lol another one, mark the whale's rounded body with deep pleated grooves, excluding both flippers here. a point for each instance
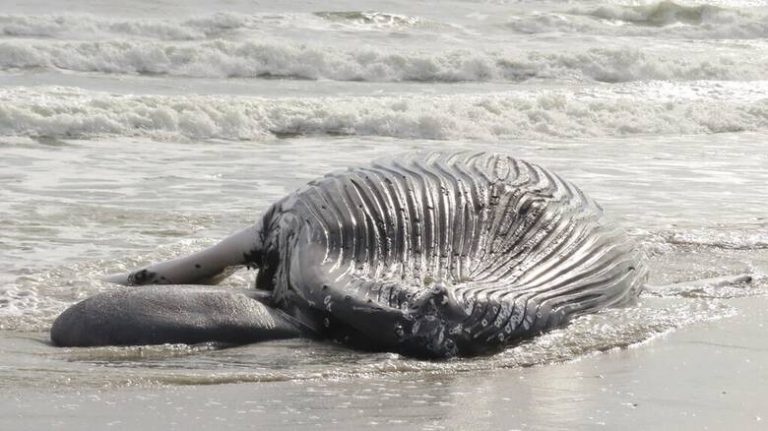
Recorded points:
(444, 254)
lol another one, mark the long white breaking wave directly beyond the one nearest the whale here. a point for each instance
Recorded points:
(228, 59)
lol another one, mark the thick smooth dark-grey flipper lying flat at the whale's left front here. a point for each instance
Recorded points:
(171, 314)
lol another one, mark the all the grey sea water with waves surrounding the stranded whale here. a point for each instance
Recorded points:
(132, 132)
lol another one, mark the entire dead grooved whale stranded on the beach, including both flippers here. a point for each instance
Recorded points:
(429, 256)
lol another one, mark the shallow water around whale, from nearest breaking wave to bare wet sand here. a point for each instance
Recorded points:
(89, 213)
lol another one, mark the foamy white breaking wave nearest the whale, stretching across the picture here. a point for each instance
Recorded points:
(62, 112)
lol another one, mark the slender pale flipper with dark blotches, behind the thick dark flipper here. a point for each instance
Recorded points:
(209, 266)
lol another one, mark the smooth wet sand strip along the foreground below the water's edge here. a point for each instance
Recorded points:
(708, 376)
